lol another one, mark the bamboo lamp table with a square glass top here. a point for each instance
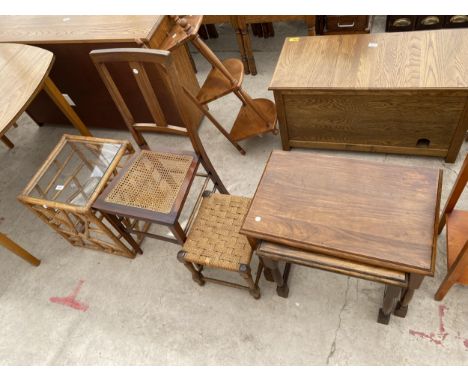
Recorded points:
(65, 187)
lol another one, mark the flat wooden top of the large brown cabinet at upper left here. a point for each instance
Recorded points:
(77, 29)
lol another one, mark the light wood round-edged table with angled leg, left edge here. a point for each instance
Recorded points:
(24, 71)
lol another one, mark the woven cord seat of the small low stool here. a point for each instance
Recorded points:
(214, 239)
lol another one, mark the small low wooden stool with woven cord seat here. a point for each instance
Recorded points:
(214, 241)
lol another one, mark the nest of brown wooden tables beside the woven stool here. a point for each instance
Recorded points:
(363, 219)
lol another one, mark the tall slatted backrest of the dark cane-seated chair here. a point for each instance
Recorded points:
(144, 63)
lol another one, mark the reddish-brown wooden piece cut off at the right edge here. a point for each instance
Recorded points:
(457, 236)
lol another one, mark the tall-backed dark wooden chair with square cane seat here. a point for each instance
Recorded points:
(153, 186)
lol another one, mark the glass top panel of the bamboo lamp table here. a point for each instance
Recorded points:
(75, 172)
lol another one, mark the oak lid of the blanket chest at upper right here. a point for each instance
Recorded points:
(415, 60)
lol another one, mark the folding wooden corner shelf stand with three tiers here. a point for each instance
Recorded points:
(256, 116)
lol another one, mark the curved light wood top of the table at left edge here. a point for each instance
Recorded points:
(23, 70)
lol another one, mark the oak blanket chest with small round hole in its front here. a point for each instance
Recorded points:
(401, 93)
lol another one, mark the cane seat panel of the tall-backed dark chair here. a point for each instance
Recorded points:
(152, 182)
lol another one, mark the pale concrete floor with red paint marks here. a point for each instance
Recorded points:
(147, 311)
